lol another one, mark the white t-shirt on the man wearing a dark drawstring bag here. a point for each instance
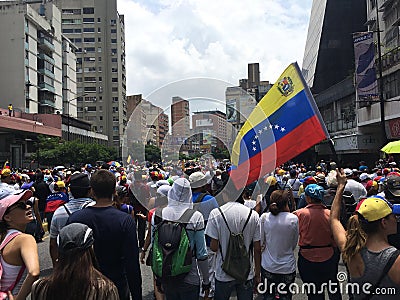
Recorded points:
(236, 215)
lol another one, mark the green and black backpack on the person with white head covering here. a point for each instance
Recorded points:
(172, 254)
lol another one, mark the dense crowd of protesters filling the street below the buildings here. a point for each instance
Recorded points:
(106, 218)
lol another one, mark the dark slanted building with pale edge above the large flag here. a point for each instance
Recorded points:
(329, 55)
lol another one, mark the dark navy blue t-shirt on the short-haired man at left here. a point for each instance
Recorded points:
(115, 245)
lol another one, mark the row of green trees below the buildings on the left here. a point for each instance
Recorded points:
(52, 152)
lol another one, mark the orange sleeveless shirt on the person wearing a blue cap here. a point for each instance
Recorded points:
(315, 230)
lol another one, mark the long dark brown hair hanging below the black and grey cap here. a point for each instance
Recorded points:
(74, 277)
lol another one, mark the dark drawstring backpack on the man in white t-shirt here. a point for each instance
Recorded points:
(237, 257)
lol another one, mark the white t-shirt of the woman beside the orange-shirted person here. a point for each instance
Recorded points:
(279, 235)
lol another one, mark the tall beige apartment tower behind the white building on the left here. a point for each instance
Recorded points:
(98, 31)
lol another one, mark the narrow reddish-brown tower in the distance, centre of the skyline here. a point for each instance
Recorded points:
(180, 119)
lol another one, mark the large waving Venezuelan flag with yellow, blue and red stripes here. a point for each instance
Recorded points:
(285, 123)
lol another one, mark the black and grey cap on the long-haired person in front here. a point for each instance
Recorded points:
(75, 236)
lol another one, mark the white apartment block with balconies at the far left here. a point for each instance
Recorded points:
(32, 74)
